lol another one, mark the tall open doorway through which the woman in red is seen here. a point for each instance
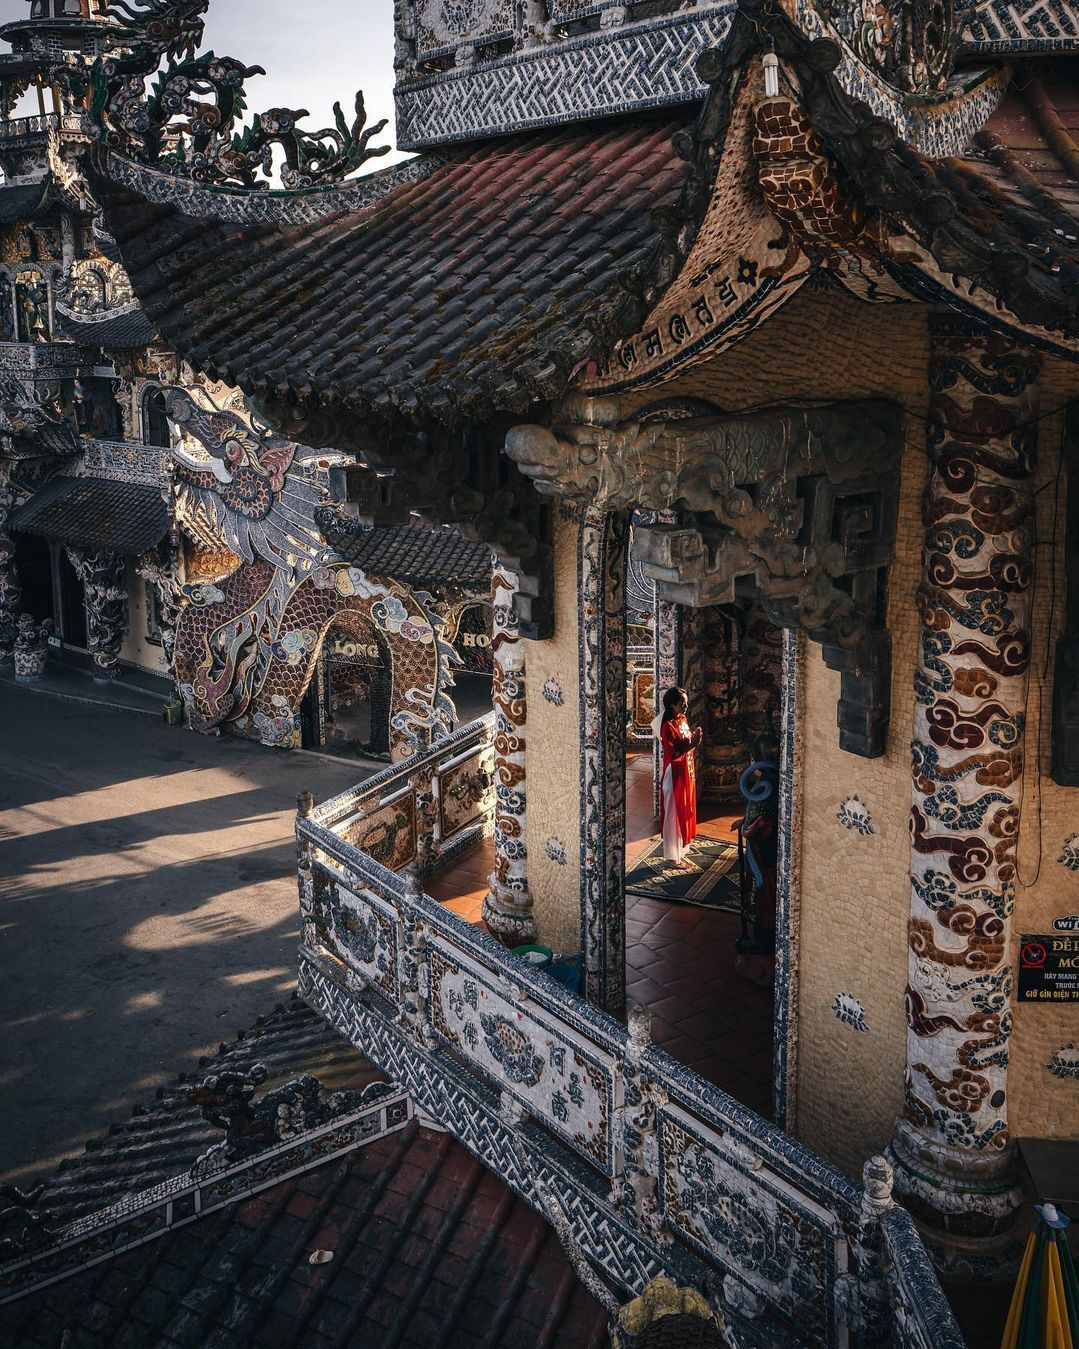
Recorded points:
(701, 944)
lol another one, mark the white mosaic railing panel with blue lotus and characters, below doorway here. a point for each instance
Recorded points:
(564, 1083)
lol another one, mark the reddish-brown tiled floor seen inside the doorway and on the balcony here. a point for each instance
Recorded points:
(680, 961)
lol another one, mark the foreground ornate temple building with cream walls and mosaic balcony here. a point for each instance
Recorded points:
(788, 293)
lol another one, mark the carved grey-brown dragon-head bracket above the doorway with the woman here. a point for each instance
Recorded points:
(791, 507)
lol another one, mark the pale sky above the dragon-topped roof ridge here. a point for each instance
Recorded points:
(314, 53)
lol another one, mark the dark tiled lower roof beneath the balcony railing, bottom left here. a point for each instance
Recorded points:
(428, 1248)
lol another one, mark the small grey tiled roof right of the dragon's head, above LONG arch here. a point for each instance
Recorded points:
(409, 554)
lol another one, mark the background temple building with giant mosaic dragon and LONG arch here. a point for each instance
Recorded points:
(119, 542)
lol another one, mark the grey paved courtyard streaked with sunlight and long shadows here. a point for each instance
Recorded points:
(148, 910)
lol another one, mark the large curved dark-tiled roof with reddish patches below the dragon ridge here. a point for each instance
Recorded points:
(481, 287)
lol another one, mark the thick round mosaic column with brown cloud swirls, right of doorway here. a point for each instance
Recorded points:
(954, 1166)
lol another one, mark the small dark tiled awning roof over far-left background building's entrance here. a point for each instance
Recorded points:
(95, 513)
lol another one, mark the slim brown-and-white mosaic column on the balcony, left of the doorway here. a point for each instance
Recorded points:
(508, 905)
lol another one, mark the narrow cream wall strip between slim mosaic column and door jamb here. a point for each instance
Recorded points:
(552, 757)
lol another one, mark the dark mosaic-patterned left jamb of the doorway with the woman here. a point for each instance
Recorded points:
(602, 546)
